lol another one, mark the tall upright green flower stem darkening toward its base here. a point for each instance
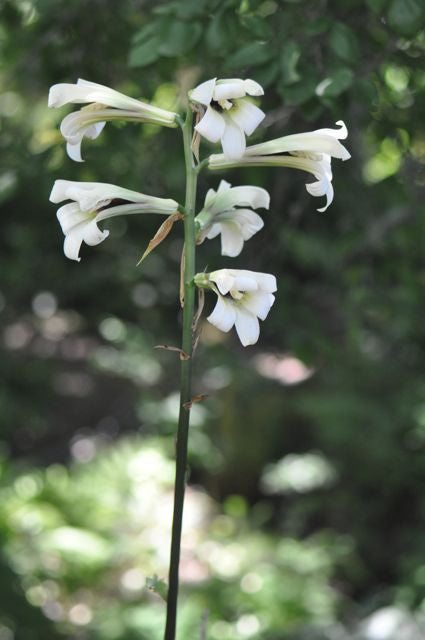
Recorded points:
(186, 378)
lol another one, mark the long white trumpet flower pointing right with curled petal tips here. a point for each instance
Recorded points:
(310, 152)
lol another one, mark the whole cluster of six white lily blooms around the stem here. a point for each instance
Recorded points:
(227, 114)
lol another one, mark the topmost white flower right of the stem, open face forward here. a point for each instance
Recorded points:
(229, 115)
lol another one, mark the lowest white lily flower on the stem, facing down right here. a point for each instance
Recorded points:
(243, 297)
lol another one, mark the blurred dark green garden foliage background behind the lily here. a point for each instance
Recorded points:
(305, 509)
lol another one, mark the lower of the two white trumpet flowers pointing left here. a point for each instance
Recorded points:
(96, 201)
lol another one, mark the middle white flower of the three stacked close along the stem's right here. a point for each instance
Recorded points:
(221, 215)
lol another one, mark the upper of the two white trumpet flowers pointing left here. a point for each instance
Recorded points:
(90, 120)
